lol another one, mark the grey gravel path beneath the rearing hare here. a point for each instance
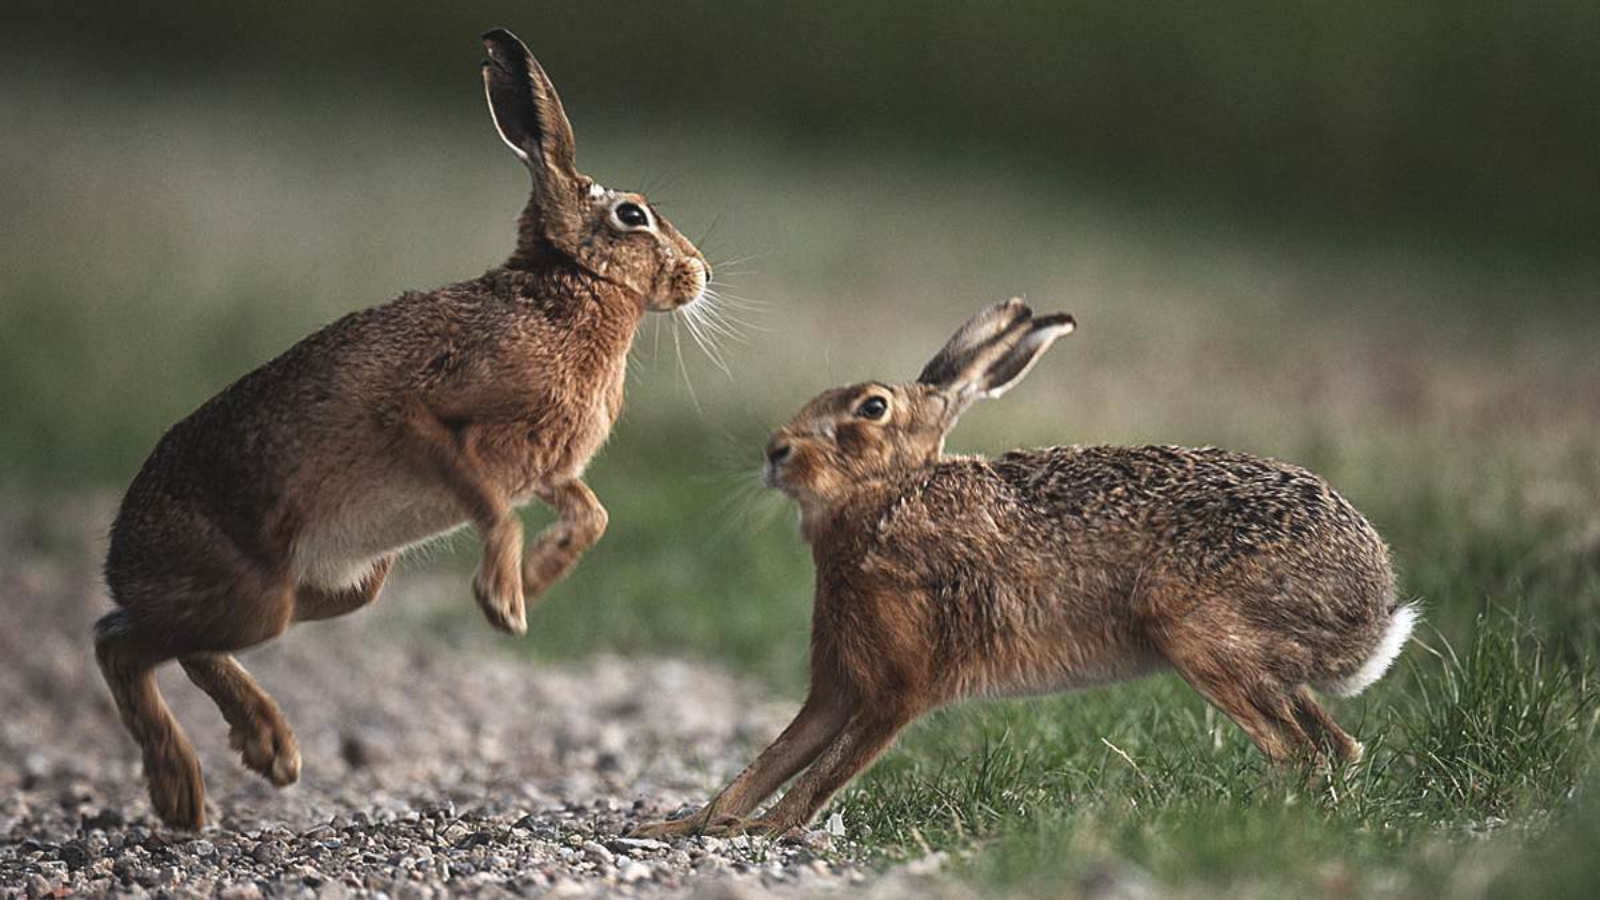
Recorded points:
(433, 765)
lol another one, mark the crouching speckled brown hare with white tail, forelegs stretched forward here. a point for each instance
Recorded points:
(950, 577)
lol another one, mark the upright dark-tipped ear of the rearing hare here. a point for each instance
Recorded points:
(530, 119)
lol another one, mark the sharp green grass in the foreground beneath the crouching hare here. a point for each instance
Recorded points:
(1154, 777)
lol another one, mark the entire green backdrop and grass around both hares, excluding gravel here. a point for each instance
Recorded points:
(1354, 236)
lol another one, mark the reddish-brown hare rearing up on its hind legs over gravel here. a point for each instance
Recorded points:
(289, 496)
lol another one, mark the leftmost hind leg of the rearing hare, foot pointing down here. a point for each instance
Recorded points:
(129, 661)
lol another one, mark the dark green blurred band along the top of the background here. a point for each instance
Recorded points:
(1463, 116)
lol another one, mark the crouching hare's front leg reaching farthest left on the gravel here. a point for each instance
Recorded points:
(818, 725)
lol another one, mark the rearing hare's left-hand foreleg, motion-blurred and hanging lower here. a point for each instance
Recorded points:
(452, 457)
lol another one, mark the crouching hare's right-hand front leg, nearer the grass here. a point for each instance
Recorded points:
(868, 734)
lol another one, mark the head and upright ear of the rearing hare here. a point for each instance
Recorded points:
(614, 235)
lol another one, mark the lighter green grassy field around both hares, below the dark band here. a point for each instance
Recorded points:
(1452, 401)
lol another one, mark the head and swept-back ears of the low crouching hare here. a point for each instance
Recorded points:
(849, 436)
